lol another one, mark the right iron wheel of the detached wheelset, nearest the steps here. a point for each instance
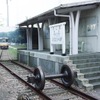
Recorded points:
(69, 78)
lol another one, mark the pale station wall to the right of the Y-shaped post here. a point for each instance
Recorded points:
(89, 30)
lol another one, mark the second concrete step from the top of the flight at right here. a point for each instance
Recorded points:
(86, 60)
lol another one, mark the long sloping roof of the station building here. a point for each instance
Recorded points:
(61, 9)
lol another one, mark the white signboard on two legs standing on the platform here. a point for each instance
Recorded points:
(57, 35)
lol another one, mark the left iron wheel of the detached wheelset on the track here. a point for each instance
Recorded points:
(39, 78)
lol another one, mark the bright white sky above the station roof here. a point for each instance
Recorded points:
(20, 10)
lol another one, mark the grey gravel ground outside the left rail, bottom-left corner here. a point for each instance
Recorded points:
(10, 87)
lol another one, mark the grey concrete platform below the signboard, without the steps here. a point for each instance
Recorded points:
(50, 63)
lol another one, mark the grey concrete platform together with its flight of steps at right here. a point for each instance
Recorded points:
(87, 65)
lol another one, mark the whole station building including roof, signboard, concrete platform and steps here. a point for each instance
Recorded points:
(65, 35)
